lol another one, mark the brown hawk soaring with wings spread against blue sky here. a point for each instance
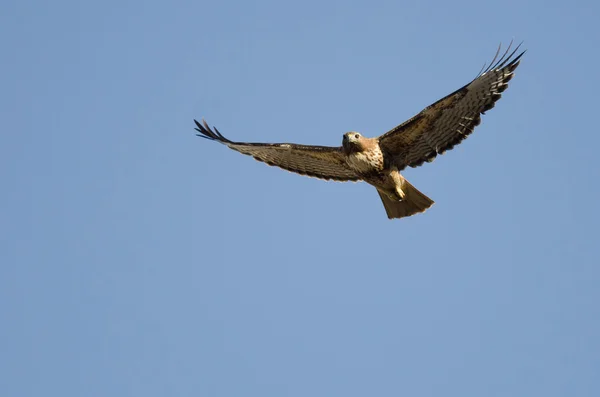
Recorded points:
(378, 161)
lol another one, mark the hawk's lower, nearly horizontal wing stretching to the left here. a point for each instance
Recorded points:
(317, 161)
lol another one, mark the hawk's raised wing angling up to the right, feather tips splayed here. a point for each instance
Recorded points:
(451, 119)
